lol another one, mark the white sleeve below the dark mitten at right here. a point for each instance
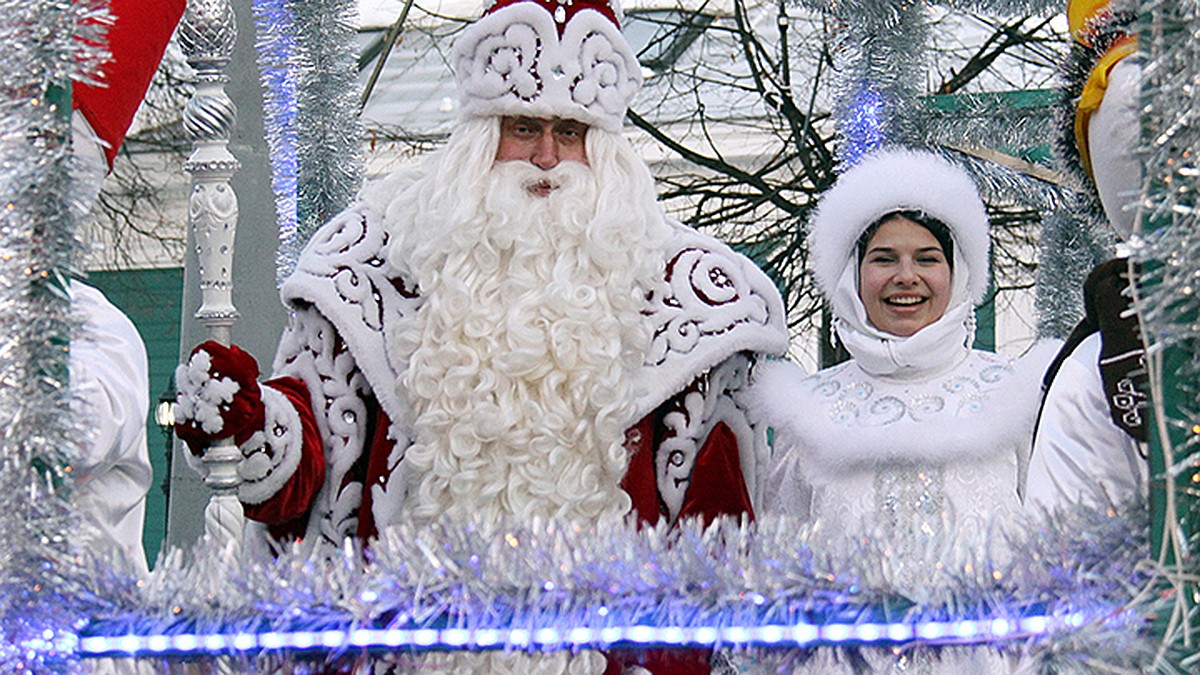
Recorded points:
(1081, 455)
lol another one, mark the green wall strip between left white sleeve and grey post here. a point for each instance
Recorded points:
(152, 300)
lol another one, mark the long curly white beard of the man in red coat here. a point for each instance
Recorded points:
(523, 355)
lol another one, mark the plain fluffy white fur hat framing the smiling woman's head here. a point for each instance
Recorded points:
(895, 181)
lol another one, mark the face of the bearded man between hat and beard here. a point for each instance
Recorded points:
(543, 142)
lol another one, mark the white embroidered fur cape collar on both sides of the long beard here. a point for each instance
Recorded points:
(711, 304)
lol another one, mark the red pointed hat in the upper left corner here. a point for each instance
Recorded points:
(136, 41)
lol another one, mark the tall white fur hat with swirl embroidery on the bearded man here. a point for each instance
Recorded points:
(548, 58)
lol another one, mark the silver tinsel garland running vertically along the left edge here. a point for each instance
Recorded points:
(45, 43)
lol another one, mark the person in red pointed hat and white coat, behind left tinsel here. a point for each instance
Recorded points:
(109, 373)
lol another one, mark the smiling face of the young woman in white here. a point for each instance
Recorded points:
(904, 279)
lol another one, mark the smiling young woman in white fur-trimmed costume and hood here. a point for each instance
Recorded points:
(914, 444)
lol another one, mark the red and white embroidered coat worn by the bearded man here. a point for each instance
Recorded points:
(328, 462)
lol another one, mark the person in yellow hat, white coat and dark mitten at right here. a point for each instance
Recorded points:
(1090, 446)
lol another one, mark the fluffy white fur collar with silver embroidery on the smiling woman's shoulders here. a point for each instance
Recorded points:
(844, 420)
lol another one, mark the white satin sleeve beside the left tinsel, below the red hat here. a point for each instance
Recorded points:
(111, 396)
